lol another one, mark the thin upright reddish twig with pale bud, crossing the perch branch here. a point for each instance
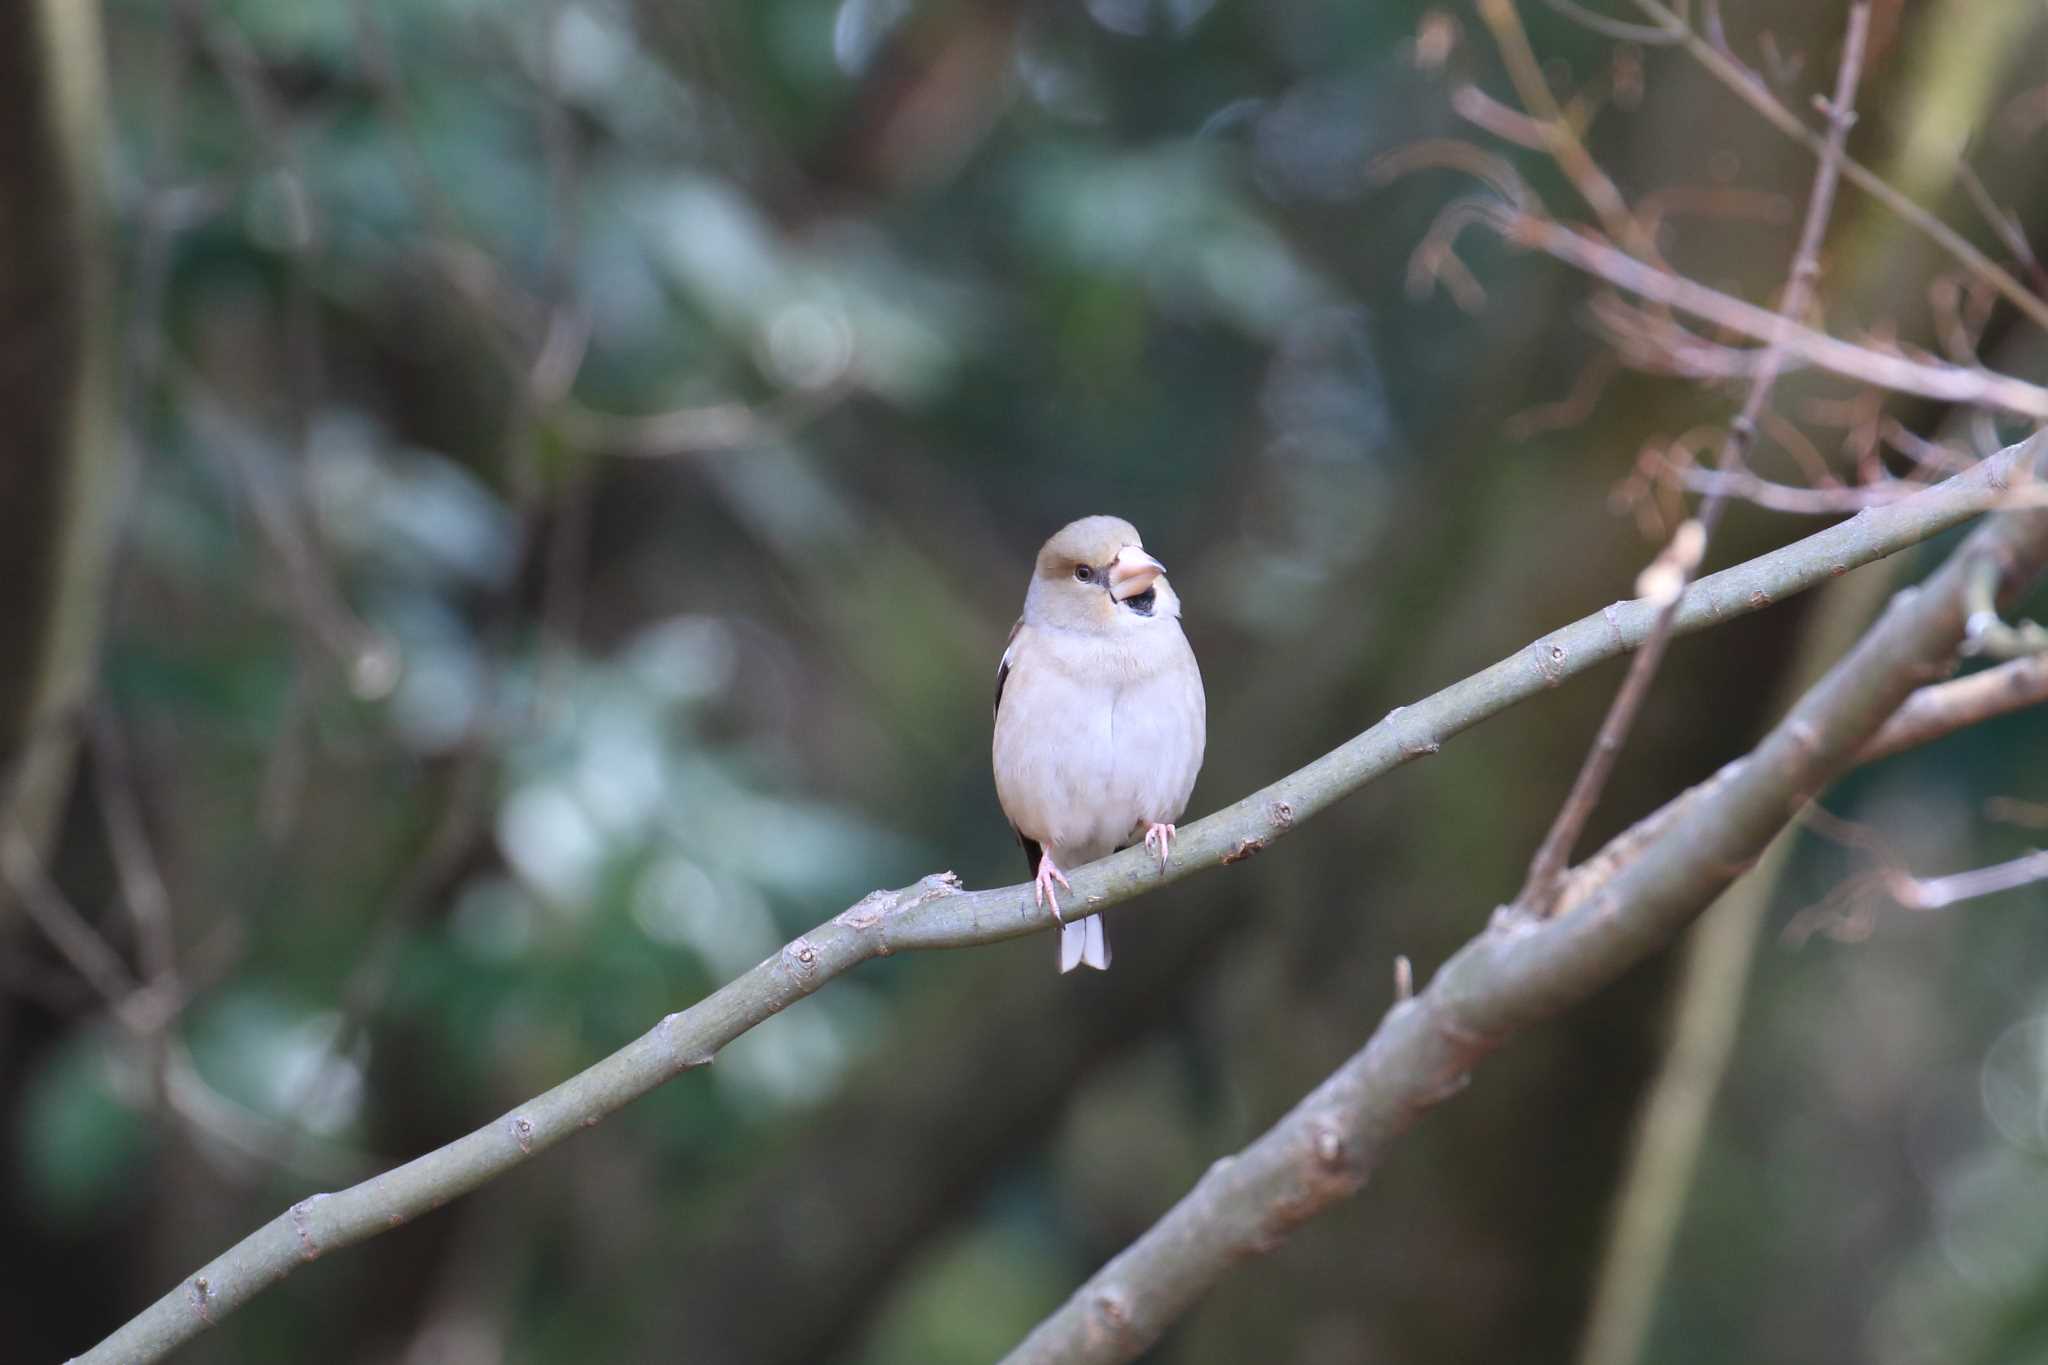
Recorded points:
(1689, 549)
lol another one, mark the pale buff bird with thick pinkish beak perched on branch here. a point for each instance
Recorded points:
(1101, 717)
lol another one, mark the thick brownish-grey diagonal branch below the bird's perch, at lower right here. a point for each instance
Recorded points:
(1627, 901)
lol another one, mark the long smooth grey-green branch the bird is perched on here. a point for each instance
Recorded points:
(937, 914)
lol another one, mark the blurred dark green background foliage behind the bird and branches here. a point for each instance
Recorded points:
(583, 461)
